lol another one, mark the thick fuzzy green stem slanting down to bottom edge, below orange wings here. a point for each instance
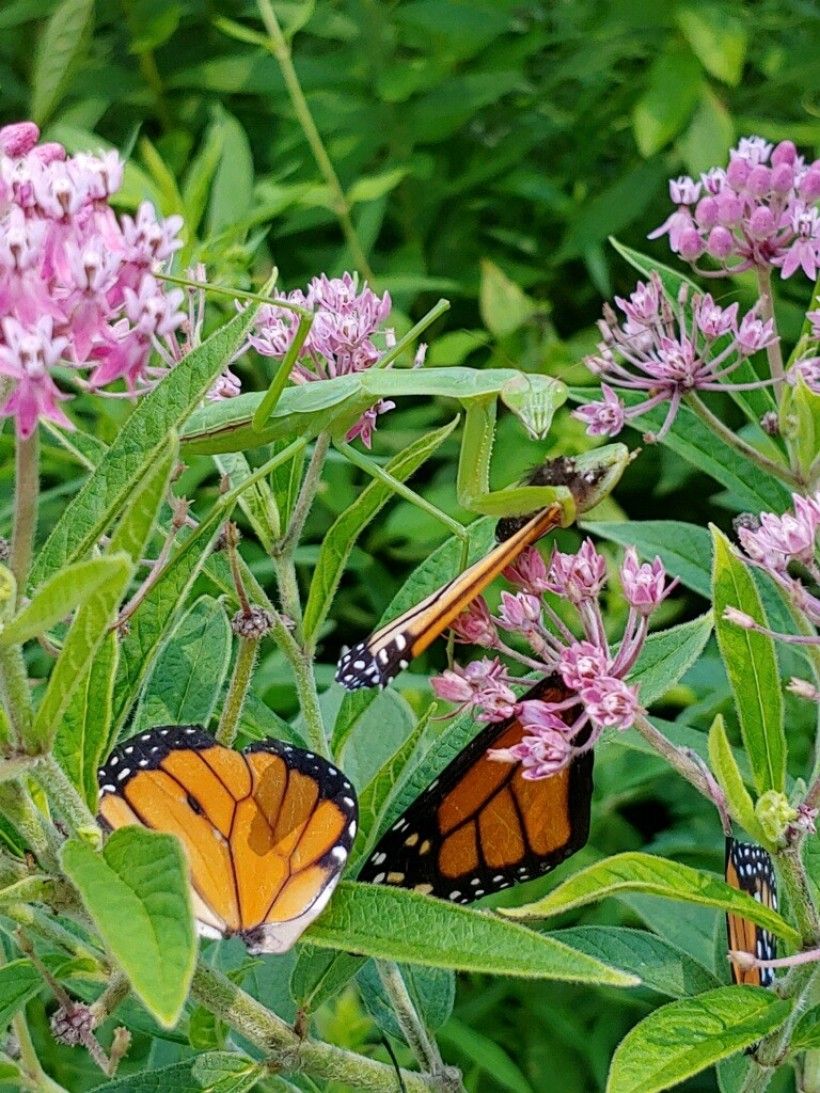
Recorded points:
(290, 1052)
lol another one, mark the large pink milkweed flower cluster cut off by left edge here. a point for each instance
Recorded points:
(77, 284)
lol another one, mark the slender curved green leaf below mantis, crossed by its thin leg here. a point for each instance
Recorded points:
(339, 540)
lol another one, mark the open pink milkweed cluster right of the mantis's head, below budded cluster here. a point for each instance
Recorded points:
(669, 351)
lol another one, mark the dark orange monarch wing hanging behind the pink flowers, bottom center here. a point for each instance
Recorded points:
(481, 827)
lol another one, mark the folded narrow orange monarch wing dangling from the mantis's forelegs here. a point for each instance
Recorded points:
(377, 661)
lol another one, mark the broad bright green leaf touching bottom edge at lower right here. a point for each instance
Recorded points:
(685, 1038)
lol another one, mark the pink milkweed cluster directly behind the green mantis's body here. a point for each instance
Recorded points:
(342, 337)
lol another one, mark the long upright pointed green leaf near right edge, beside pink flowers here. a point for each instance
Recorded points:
(752, 666)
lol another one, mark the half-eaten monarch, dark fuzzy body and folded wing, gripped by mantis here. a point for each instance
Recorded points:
(381, 657)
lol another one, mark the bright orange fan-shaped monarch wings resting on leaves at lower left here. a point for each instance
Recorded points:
(266, 831)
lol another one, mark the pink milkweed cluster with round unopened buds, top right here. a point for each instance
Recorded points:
(758, 213)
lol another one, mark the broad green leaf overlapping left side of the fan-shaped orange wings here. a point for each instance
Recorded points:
(138, 897)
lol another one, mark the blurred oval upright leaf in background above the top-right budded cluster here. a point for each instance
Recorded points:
(667, 104)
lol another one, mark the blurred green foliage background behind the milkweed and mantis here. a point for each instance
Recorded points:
(487, 150)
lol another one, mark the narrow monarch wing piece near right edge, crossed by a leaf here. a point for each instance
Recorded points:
(749, 868)
